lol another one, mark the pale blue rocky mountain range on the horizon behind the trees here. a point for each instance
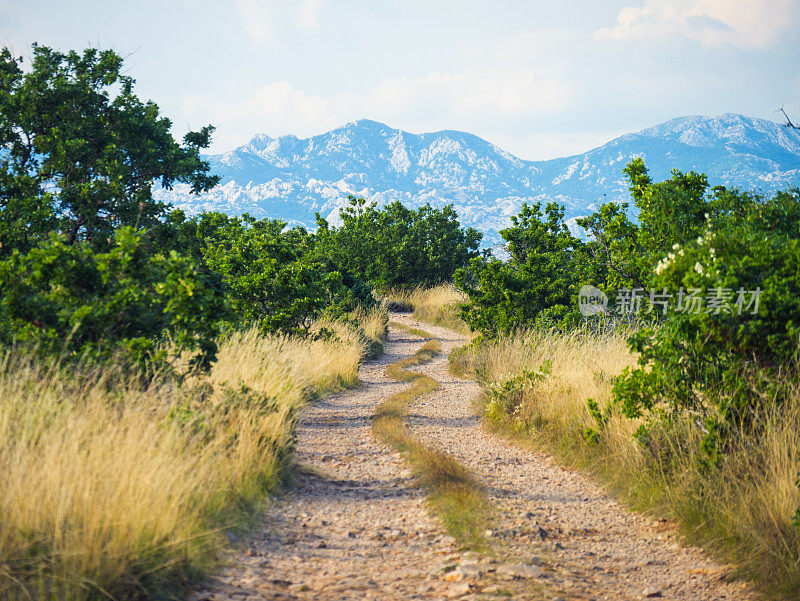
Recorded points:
(291, 178)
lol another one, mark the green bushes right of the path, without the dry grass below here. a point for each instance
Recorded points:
(739, 250)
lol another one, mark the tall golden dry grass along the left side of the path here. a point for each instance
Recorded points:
(108, 491)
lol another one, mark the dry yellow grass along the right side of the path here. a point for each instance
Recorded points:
(742, 511)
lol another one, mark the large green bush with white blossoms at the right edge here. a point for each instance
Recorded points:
(723, 361)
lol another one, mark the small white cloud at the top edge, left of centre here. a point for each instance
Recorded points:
(265, 19)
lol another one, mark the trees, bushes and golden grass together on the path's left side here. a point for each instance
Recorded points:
(154, 363)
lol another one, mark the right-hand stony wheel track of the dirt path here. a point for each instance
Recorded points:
(588, 545)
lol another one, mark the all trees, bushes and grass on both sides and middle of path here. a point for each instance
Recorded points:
(153, 362)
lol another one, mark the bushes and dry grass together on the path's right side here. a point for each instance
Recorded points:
(682, 392)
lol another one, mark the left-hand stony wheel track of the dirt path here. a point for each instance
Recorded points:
(352, 525)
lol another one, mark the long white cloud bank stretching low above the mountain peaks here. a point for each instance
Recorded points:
(472, 100)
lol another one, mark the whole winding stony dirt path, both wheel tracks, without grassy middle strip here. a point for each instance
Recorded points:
(355, 526)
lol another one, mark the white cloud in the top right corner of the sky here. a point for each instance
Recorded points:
(744, 23)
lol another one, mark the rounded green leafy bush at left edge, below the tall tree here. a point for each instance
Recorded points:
(73, 300)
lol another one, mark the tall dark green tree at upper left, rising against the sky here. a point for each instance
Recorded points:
(81, 152)
